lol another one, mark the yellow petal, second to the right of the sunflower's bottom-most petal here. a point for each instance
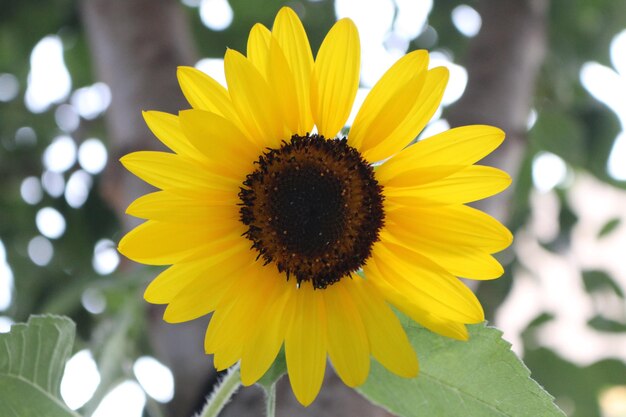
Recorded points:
(387, 339)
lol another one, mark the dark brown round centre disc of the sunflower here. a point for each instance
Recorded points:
(313, 208)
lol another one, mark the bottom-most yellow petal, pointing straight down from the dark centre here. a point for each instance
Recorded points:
(305, 344)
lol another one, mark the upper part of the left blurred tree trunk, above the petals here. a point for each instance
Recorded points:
(136, 47)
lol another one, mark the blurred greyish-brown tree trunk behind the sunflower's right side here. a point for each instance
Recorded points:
(503, 62)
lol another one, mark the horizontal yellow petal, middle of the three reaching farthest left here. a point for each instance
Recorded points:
(168, 207)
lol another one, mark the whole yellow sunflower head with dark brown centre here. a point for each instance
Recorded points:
(295, 237)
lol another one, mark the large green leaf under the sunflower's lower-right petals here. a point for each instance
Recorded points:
(481, 378)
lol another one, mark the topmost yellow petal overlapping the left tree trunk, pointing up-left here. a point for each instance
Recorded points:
(204, 93)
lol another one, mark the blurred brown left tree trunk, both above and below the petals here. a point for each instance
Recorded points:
(136, 47)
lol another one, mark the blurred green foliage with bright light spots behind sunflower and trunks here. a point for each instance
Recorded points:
(561, 302)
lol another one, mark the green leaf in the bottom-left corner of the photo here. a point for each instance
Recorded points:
(32, 361)
